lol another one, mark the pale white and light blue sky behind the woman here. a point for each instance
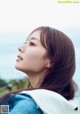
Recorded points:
(19, 17)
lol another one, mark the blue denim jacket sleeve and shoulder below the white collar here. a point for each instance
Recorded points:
(23, 104)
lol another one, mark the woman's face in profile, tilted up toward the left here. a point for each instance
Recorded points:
(32, 57)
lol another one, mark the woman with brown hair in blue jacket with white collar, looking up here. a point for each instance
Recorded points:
(48, 58)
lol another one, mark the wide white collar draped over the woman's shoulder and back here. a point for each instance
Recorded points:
(53, 103)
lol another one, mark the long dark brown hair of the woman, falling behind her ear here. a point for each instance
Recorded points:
(61, 52)
